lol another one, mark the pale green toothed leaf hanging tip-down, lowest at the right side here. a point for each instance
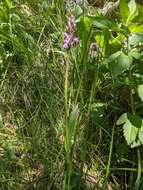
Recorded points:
(130, 132)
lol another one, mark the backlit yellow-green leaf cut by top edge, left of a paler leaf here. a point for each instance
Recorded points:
(124, 10)
